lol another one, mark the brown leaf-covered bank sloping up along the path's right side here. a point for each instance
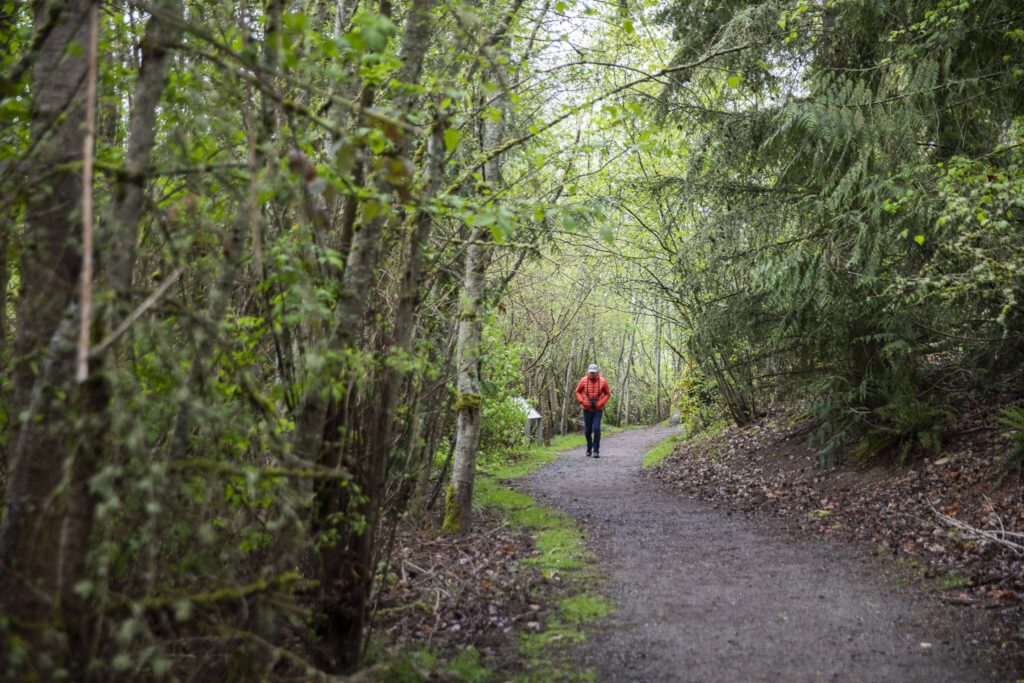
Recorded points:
(940, 517)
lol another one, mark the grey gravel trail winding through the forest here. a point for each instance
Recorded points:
(703, 595)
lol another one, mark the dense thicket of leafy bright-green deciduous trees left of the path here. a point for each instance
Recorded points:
(264, 408)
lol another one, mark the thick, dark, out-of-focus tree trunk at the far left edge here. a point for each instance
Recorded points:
(32, 576)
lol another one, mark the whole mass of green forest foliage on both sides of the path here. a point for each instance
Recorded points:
(828, 214)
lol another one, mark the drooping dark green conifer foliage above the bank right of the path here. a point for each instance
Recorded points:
(845, 234)
